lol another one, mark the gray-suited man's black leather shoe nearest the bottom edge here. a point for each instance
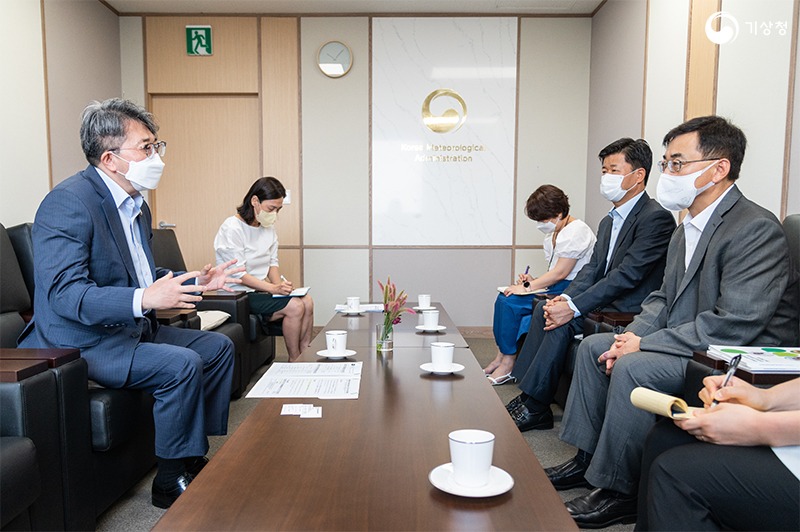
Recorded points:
(601, 508)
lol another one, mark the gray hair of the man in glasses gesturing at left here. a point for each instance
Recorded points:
(104, 125)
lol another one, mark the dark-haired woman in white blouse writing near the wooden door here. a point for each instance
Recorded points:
(251, 239)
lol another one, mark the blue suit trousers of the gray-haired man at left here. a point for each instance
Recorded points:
(189, 373)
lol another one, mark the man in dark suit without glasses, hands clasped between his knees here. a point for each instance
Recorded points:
(627, 264)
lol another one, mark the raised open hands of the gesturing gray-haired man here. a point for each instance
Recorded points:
(170, 292)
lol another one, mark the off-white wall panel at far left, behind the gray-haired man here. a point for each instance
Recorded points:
(24, 174)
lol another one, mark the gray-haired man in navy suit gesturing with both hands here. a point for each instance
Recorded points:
(97, 290)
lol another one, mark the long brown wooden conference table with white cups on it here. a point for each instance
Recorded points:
(364, 465)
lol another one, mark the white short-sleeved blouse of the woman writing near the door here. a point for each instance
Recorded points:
(255, 248)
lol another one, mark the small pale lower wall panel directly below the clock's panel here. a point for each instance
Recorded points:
(334, 275)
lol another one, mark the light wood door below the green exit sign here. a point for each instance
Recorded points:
(211, 161)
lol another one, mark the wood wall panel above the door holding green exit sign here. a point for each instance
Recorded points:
(233, 67)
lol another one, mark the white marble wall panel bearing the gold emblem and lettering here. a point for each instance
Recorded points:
(451, 188)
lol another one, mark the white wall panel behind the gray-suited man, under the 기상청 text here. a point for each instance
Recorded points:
(752, 91)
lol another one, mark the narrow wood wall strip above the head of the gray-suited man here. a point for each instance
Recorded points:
(701, 69)
